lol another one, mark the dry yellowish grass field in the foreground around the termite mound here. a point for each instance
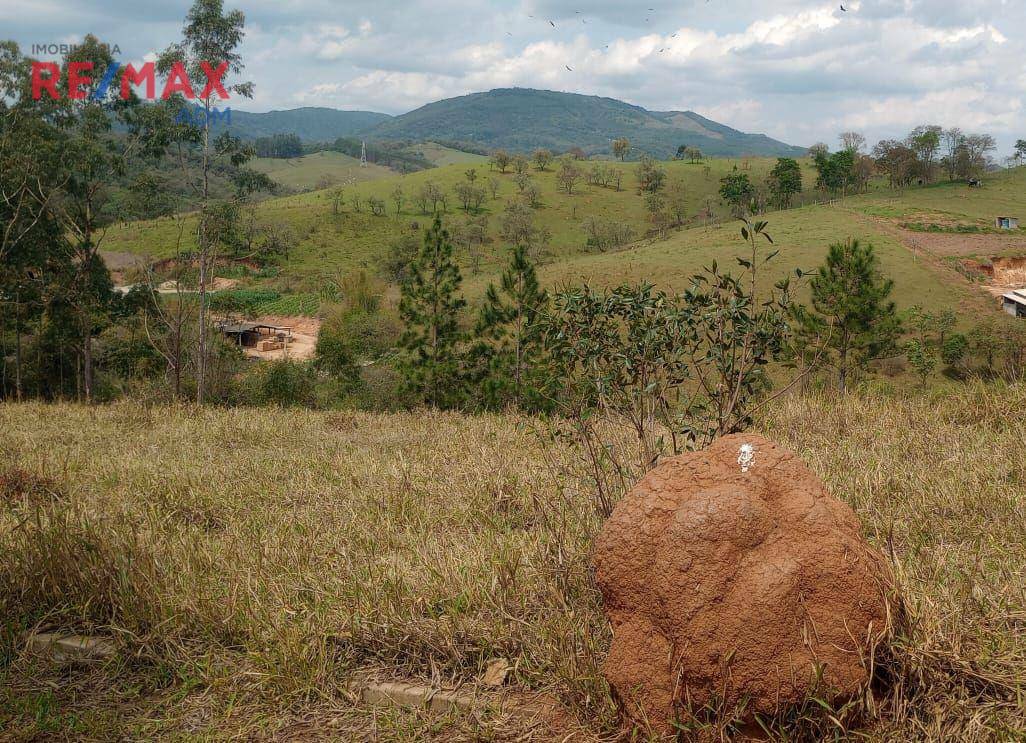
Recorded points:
(251, 565)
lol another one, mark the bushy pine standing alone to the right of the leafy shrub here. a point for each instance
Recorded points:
(851, 315)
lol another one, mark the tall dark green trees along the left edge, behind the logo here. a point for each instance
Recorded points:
(58, 161)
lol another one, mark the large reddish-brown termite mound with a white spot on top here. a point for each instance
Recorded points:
(728, 590)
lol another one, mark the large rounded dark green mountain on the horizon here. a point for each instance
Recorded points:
(523, 120)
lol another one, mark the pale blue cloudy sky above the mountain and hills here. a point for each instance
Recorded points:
(801, 71)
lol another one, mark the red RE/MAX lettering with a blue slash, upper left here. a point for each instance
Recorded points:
(47, 76)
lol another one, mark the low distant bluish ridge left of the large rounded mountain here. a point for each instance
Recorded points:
(312, 125)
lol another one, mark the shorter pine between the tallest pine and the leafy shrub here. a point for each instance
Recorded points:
(509, 346)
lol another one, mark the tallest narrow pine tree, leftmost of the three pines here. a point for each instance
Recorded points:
(430, 308)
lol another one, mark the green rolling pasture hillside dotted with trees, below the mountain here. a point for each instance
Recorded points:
(333, 246)
